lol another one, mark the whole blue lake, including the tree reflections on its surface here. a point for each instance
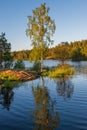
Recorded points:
(46, 104)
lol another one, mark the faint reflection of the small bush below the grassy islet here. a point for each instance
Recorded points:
(64, 87)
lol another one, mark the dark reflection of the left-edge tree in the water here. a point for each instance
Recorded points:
(6, 96)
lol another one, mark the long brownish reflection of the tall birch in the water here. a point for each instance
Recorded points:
(45, 116)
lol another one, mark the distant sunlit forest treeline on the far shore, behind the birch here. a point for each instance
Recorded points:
(75, 51)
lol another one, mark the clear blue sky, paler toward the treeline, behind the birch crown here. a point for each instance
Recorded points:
(70, 17)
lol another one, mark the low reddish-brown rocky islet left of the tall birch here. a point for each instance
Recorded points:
(17, 75)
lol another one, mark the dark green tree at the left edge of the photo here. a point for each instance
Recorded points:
(5, 48)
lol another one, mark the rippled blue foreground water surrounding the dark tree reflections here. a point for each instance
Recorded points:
(72, 109)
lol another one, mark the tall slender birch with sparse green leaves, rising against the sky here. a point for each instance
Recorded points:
(40, 29)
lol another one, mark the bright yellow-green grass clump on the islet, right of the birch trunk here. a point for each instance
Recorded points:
(61, 71)
